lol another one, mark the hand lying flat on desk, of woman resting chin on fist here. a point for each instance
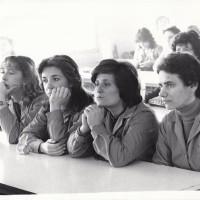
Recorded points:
(53, 148)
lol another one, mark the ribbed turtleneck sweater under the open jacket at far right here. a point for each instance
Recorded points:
(188, 115)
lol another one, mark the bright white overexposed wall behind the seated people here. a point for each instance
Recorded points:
(87, 30)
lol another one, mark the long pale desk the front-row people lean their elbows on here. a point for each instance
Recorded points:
(43, 174)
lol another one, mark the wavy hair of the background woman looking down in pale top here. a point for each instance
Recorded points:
(144, 35)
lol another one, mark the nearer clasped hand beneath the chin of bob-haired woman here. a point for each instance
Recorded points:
(95, 115)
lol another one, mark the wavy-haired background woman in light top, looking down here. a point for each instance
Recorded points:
(147, 50)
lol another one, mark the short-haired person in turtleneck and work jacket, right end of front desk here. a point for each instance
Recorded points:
(179, 132)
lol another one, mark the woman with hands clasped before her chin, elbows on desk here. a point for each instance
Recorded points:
(120, 128)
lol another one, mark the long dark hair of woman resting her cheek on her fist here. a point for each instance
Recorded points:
(79, 98)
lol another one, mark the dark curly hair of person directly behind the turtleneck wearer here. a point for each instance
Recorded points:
(188, 37)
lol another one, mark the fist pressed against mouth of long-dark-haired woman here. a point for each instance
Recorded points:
(59, 96)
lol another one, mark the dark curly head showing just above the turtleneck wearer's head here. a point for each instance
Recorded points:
(188, 42)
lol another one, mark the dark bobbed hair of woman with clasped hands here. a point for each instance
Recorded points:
(126, 79)
